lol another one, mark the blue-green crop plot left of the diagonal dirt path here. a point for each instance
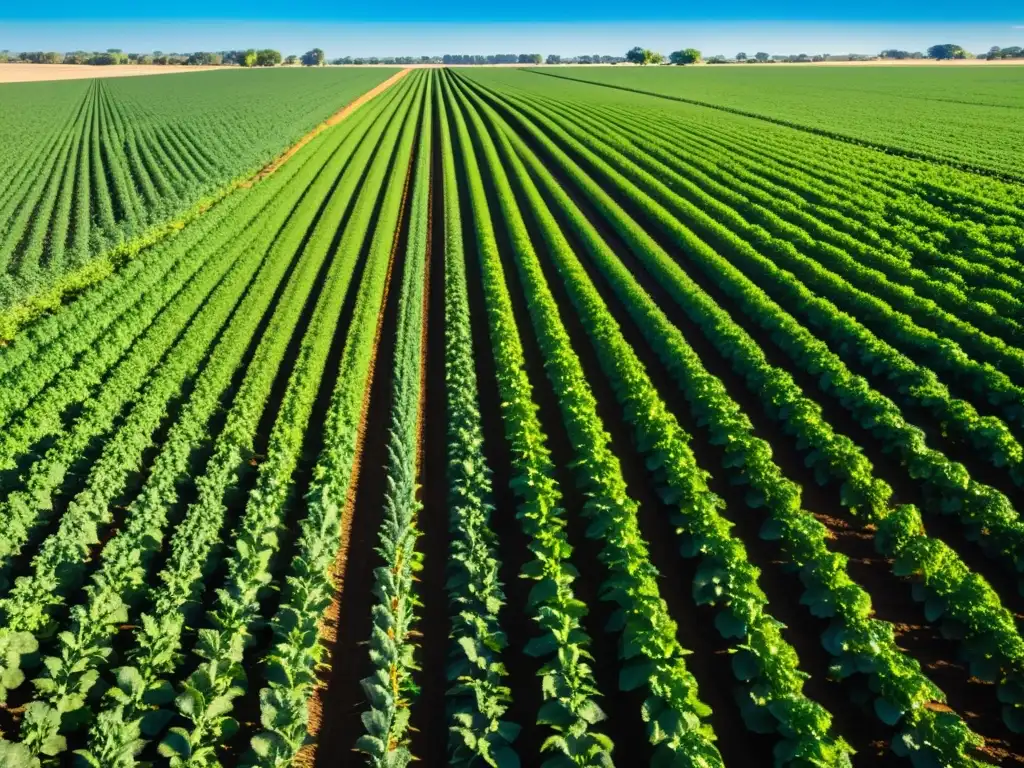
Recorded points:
(116, 160)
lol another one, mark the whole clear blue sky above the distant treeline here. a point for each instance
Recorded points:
(567, 27)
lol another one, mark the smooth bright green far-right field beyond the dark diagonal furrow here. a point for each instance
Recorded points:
(963, 115)
